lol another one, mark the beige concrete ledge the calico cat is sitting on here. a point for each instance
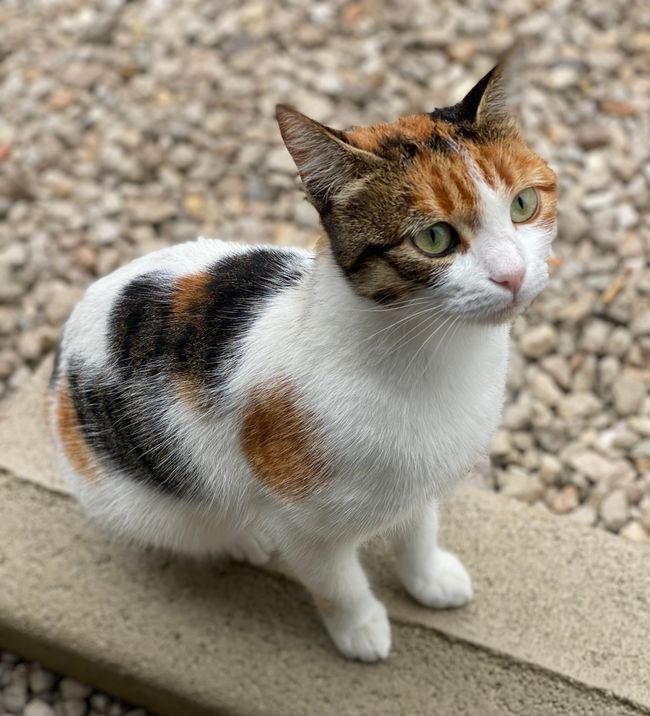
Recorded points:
(550, 631)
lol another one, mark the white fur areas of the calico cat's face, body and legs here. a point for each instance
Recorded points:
(406, 403)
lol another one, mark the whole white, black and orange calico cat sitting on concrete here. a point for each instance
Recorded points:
(215, 398)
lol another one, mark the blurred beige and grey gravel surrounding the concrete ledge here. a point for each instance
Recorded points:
(128, 126)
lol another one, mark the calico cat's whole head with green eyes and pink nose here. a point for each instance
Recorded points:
(453, 203)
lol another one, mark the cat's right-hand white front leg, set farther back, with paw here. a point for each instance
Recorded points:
(431, 575)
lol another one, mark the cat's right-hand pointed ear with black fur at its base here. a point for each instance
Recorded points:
(493, 97)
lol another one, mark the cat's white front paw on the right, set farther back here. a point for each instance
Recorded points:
(443, 584)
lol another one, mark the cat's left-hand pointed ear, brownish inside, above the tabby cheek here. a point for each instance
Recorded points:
(325, 160)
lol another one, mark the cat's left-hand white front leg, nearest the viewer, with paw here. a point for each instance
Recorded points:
(355, 619)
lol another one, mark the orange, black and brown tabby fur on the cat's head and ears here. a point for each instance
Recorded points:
(376, 187)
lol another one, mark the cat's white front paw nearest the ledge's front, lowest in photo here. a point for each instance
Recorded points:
(368, 640)
